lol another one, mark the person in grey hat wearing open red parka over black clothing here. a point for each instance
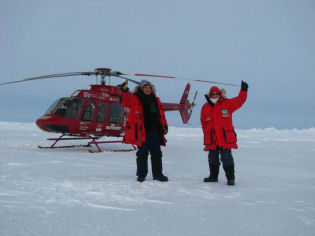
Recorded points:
(146, 127)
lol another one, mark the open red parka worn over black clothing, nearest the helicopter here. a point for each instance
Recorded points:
(135, 131)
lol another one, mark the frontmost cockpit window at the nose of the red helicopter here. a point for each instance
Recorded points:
(68, 107)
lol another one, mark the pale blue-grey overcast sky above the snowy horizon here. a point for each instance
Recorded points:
(269, 44)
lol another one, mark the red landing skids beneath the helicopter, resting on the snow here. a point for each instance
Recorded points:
(93, 141)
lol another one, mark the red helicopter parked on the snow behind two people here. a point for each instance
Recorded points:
(91, 114)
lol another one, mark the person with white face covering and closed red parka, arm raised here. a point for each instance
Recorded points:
(218, 130)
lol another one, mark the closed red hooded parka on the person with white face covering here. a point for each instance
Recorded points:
(216, 121)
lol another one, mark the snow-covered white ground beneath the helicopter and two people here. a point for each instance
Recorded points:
(73, 192)
